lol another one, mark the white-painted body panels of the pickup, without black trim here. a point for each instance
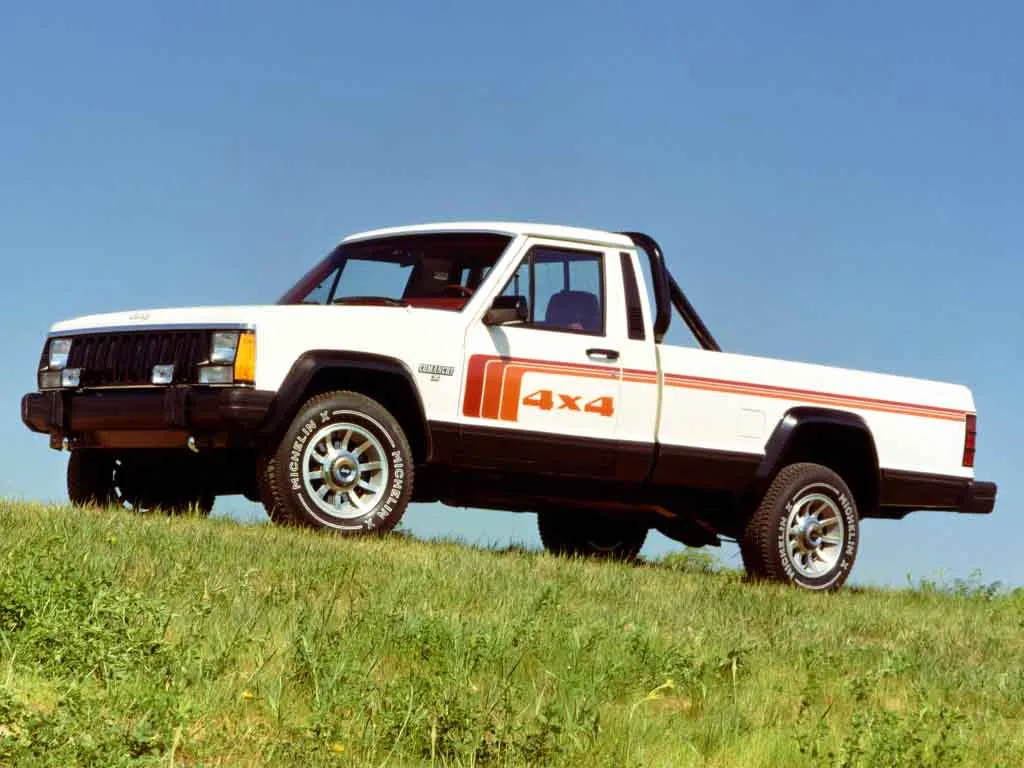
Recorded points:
(676, 396)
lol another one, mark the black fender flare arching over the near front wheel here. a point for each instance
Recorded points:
(305, 370)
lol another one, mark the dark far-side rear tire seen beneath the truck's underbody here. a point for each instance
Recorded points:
(590, 536)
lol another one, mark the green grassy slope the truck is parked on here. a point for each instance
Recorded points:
(155, 642)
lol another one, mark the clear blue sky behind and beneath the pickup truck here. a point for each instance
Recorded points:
(832, 183)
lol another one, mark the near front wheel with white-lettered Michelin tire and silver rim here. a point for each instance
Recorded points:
(344, 465)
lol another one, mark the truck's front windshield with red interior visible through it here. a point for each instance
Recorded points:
(436, 271)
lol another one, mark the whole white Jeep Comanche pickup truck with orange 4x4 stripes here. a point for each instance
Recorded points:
(494, 365)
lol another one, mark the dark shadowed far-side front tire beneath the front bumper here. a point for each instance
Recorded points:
(100, 479)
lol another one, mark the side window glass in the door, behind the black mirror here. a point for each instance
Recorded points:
(565, 289)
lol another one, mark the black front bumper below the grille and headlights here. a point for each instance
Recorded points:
(143, 415)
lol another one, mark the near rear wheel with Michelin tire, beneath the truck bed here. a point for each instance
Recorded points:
(805, 532)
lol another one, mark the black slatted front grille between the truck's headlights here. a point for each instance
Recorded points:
(119, 360)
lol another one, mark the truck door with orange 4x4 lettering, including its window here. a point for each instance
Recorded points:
(541, 397)
